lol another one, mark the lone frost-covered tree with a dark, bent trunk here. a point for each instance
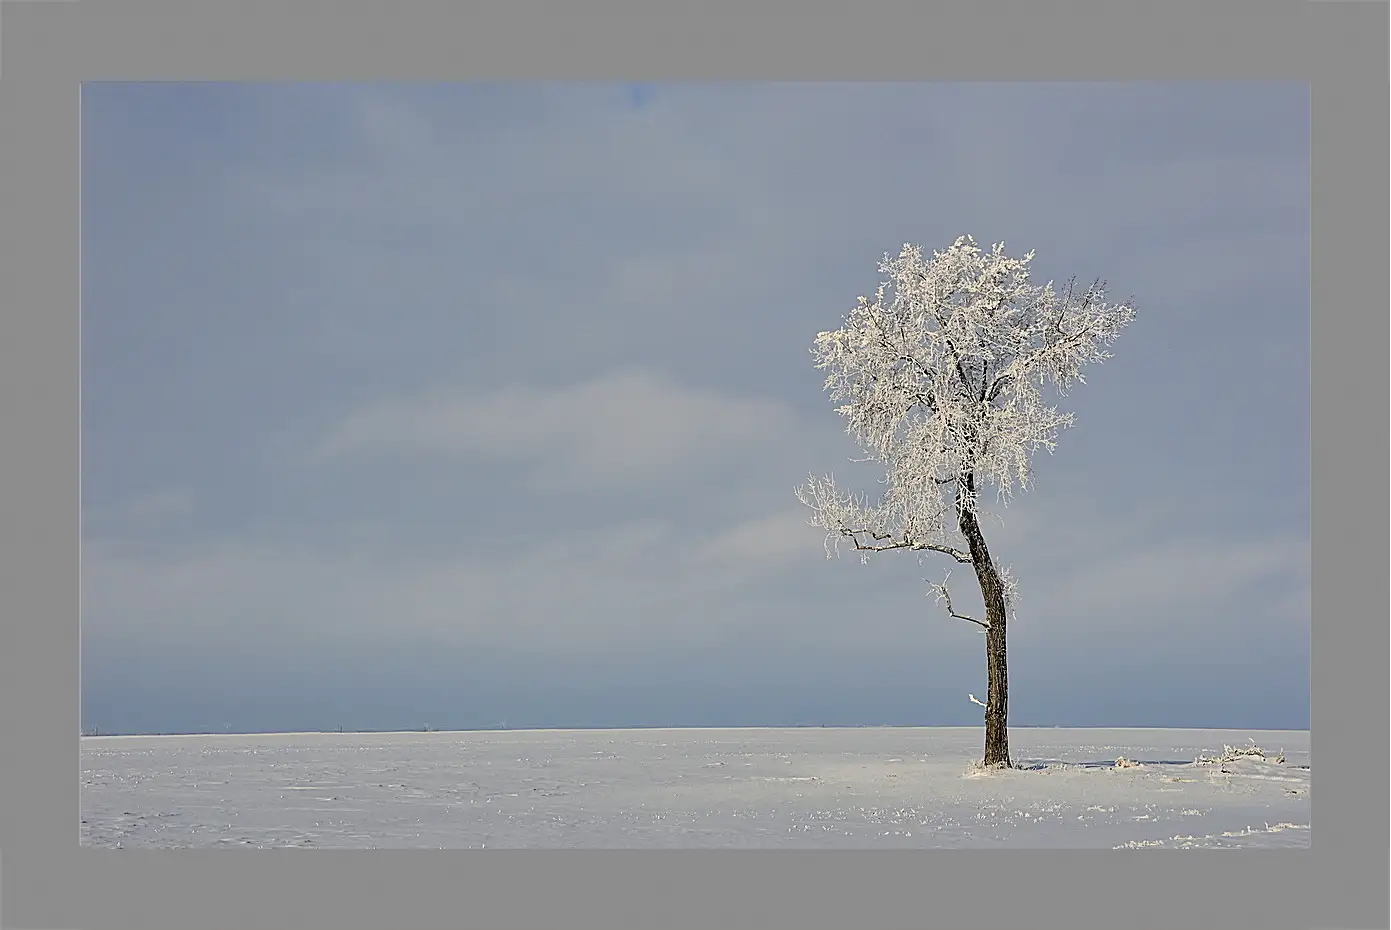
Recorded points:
(941, 379)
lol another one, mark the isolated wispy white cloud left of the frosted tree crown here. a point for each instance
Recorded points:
(613, 430)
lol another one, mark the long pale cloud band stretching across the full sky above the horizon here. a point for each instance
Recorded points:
(645, 585)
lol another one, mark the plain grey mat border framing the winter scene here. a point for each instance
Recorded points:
(47, 49)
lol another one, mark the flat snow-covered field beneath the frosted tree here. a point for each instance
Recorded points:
(716, 789)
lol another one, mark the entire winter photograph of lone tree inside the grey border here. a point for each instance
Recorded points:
(821, 466)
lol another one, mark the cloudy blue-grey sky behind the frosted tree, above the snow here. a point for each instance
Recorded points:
(483, 405)
